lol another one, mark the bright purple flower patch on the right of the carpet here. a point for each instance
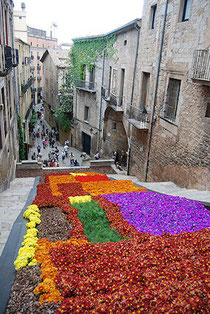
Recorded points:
(159, 213)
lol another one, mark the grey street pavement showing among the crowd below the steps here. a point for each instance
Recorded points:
(45, 152)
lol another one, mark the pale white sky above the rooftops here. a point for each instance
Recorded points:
(79, 18)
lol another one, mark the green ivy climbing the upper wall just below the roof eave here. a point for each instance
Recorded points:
(88, 51)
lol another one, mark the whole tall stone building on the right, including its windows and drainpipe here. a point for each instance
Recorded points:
(176, 145)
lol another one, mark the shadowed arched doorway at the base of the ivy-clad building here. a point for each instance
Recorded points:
(114, 136)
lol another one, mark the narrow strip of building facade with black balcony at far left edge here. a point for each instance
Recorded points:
(8, 101)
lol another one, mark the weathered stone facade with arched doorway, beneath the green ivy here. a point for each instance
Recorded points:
(103, 97)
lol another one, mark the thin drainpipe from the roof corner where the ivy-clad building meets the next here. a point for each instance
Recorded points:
(132, 92)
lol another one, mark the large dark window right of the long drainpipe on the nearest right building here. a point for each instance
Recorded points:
(172, 99)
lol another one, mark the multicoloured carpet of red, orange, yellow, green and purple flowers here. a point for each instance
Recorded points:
(128, 250)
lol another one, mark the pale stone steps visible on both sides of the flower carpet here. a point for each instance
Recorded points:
(13, 199)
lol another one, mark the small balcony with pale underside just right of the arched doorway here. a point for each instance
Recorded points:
(137, 117)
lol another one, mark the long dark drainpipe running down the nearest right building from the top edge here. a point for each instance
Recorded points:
(156, 89)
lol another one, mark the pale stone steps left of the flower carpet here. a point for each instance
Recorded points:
(12, 202)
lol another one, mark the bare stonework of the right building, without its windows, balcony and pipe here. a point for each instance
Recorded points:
(179, 148)
